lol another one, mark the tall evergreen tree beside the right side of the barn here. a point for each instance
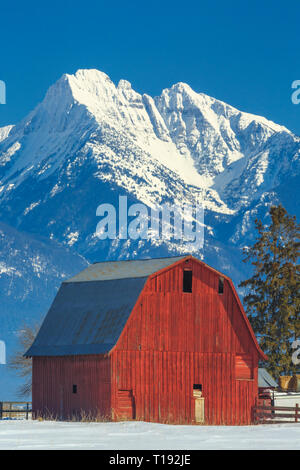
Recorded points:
(273, 292)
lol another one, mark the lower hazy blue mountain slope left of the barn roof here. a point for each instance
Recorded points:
(31, 269)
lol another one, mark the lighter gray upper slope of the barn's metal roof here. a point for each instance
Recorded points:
(123, 269)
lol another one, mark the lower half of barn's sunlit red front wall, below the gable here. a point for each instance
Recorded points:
(162, 386)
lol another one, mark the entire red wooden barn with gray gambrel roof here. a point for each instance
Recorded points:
(164, 340)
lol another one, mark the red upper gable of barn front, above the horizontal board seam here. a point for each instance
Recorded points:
(207, 322)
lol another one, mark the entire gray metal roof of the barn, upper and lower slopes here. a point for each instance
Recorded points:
(91, 309)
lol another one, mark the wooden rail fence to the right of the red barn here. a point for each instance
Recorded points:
(264, 414)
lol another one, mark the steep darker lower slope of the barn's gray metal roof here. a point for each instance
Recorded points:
(87, 317)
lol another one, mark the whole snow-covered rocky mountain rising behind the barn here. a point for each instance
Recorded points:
(90, 141)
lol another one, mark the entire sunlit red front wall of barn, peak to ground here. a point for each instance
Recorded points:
(174, 339)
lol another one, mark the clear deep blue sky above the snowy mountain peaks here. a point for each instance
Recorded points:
(246, 53)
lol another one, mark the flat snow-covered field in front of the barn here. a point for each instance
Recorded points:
(21, 434)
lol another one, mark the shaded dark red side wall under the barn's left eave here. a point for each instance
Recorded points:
(53, 380)
